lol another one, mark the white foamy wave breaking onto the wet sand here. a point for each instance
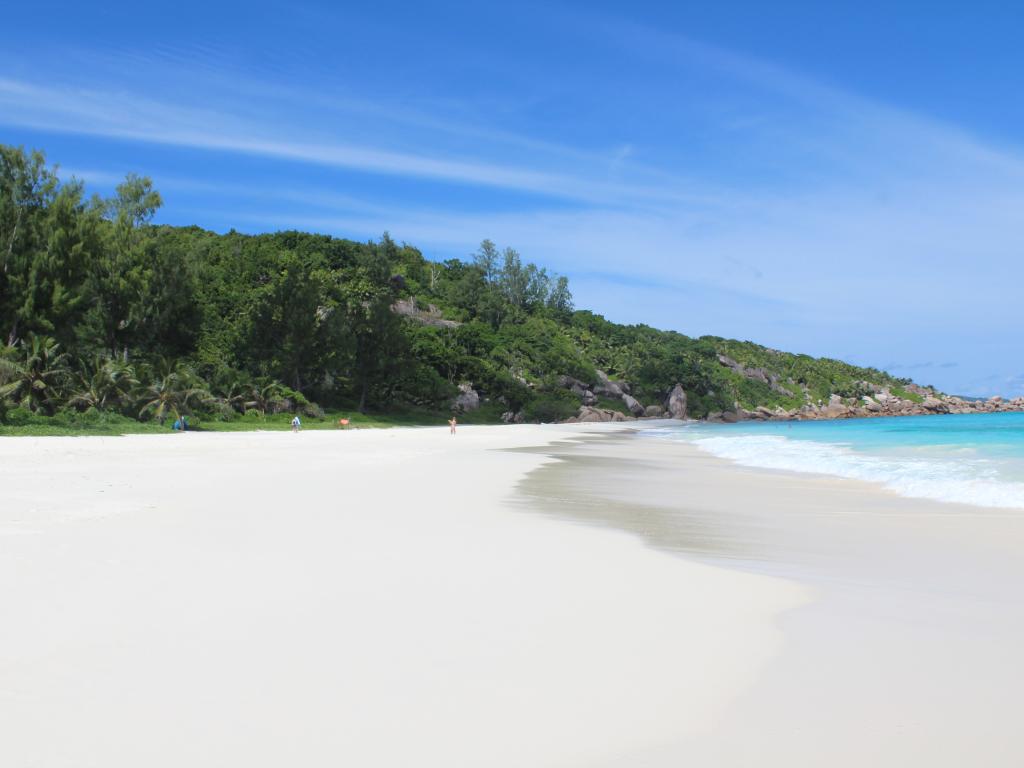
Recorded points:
(975, 483)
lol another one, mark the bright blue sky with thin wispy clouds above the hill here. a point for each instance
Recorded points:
(844, 180)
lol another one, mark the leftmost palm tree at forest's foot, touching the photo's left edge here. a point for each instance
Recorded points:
(35, 381)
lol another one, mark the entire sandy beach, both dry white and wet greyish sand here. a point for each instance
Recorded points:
(513, 596)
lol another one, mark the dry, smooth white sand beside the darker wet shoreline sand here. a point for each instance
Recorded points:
(370, 599)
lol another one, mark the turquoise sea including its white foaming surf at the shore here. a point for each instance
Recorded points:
(973, 459)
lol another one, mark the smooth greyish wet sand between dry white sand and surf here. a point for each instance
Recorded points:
(910, 653)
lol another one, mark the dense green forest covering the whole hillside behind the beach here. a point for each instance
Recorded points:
(104, 313)
